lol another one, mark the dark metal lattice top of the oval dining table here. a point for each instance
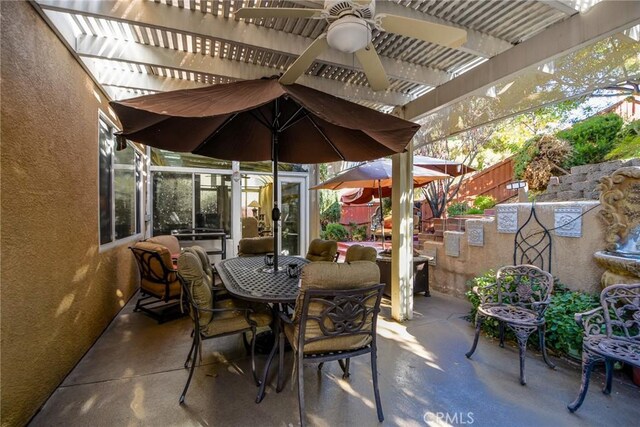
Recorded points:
(245, 278)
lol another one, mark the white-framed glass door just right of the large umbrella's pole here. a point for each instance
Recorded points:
(293, 217)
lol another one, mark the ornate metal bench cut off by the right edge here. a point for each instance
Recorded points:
(611, 334)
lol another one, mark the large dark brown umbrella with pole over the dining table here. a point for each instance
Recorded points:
(262, 120)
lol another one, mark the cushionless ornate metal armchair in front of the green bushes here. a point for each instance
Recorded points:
(518, 300)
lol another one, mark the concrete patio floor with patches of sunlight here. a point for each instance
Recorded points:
(134, 375)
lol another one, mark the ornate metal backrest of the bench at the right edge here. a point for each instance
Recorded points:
(621, 304)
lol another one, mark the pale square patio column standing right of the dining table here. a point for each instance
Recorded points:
(402, 236)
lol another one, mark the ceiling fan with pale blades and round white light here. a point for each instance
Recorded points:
(351, 24)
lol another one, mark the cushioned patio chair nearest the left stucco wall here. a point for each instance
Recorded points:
(159, 285)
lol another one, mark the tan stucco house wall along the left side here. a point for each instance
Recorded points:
(58, 291)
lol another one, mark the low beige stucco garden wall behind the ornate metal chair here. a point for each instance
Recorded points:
(572, 258)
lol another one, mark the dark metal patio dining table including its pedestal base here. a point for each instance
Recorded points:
(248, 278)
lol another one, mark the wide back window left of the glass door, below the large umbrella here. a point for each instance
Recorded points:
(191, 200)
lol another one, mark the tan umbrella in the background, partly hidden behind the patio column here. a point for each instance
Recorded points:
(377, 175)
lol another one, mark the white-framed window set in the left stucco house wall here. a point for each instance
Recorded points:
(120, 187)
